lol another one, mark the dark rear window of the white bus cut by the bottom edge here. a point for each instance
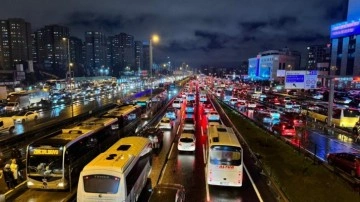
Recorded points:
(101, 184)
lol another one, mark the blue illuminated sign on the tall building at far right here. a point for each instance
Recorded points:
(345, 29)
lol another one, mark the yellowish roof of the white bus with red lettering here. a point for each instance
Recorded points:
(222, 135)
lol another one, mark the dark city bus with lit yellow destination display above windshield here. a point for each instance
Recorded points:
(54, 162)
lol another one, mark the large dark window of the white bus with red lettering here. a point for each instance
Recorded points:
(225, 155)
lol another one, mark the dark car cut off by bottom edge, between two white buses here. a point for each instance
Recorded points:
(168, 192)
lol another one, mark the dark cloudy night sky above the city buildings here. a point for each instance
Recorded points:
(198, 32)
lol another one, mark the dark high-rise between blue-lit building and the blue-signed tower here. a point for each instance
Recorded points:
(318, 57)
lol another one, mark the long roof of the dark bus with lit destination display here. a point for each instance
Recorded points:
(70, 135)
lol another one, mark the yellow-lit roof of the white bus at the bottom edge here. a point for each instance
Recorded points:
(120, 155)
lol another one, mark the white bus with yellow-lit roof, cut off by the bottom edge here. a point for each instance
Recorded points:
(118, 174)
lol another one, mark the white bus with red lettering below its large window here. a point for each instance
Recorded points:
(224, 157)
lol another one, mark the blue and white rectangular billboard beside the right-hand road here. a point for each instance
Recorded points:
(300, 79)
